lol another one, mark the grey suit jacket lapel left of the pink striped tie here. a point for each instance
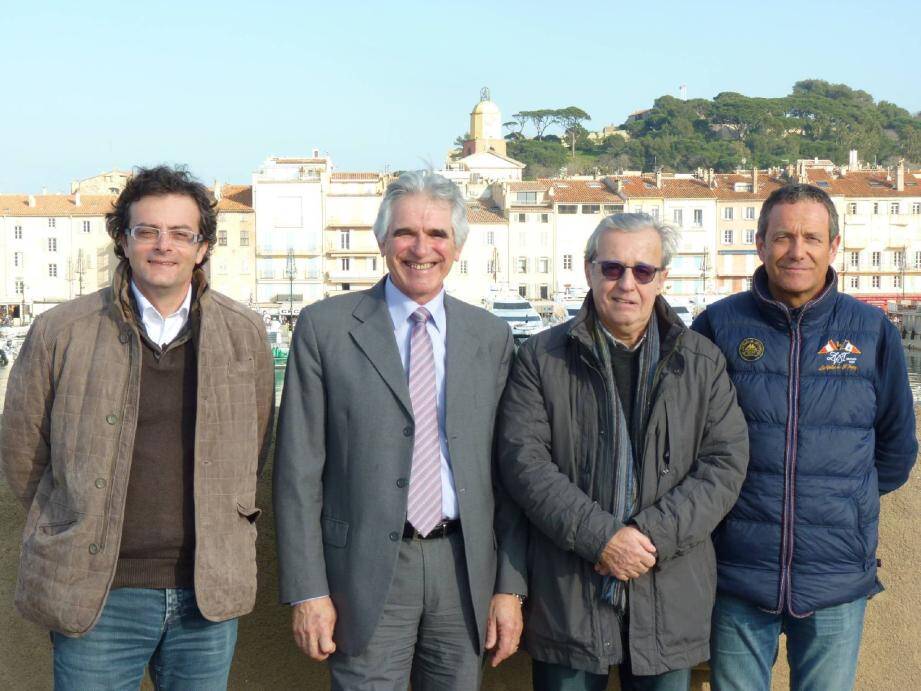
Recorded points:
(374, 336)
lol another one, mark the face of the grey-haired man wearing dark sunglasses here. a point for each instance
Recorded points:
(625, 306)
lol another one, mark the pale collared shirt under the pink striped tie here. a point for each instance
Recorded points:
(401, 307)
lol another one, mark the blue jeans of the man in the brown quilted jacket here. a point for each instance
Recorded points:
(140, 626)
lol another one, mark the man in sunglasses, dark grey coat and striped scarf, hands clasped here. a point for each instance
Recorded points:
(621, 439)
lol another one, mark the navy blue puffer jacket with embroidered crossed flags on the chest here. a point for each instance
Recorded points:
(831, 427)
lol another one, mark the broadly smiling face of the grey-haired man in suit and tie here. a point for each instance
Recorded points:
(420, 247)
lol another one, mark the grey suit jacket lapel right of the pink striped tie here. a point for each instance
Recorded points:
(460, 365)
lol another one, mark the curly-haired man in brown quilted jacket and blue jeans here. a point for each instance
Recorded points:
(136, 421)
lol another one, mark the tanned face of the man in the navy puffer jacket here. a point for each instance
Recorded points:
(796, 251)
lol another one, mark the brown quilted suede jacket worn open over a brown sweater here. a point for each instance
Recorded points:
(66, 445)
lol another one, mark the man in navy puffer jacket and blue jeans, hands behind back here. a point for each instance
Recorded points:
(821, 378)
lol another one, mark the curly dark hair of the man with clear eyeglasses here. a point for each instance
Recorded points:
(160, 181)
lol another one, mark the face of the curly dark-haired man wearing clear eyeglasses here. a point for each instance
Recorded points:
(162, 270)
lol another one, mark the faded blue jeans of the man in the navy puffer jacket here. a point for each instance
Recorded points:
(821, 649)
